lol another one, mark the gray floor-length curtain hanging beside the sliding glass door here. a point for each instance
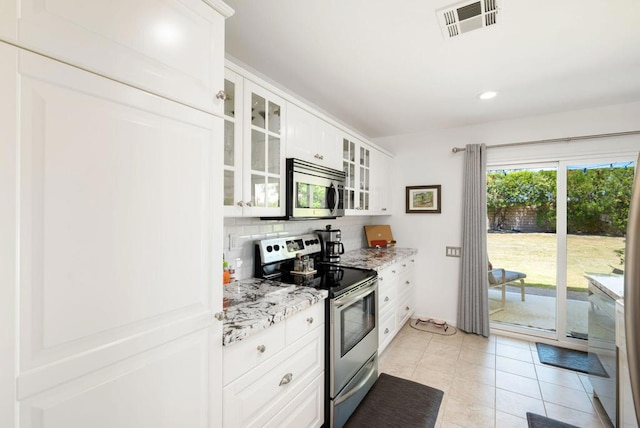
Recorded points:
(473, 300)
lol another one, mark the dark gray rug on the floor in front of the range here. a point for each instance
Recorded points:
(396, 402)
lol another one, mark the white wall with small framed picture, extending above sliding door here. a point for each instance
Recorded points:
(425, 159)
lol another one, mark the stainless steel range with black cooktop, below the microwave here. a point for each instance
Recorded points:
(351, 313)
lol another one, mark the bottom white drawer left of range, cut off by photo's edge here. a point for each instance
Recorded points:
(305, 410)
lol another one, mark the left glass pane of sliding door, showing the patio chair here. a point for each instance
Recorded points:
(522, 247)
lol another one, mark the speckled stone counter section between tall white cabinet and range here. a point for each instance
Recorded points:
(255, 304)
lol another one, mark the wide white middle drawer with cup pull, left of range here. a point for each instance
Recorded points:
(263, 392)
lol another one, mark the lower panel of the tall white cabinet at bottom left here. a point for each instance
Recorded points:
(133, 393)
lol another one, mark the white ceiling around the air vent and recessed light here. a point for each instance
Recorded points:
(384, 68)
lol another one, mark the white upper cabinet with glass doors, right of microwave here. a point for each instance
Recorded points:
(356, 163)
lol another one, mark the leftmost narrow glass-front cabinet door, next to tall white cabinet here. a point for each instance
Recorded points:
(233, 197)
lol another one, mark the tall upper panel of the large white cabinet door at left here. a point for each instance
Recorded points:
(115, 226)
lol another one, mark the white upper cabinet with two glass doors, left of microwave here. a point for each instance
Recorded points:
(254, 160)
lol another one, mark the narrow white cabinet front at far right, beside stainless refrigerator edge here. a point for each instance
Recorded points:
(626, 409)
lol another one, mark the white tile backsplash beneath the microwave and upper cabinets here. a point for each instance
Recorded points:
(240, 234)
